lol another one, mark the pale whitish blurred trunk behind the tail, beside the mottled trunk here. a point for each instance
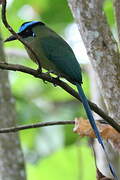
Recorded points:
(113, 154)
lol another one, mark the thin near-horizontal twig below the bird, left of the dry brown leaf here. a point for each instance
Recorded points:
(37, 125)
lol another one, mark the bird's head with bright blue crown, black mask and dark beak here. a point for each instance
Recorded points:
(26, 30)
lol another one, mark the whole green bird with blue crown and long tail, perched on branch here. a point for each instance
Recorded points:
(56, 56)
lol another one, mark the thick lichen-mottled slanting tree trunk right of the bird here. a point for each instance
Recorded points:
(104, 55)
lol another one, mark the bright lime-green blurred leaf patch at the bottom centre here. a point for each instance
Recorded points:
(68, 163)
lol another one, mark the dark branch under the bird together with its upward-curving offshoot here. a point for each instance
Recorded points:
(46, 77)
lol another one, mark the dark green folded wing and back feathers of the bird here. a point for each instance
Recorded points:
(62, 56)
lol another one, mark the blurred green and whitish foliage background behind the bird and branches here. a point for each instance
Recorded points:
(50, 152)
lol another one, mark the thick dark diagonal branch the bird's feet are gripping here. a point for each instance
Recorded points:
(63, 85)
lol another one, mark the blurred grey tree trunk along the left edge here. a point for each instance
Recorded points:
(11, 157)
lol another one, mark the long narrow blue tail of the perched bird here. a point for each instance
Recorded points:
(93, 124)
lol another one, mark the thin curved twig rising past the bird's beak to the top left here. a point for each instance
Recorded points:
(10, 29)
